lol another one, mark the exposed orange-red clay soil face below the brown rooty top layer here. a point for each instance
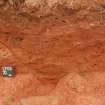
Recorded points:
(56, 63)
